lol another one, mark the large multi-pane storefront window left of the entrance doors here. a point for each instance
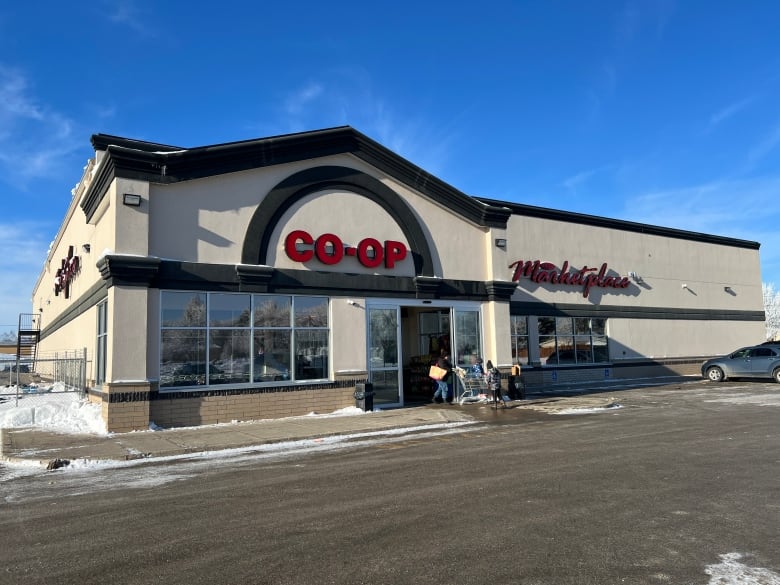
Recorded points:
(237, 339)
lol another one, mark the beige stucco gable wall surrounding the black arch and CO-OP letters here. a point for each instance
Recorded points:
(213, 214)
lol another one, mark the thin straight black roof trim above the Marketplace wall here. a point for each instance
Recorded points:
(619, 224)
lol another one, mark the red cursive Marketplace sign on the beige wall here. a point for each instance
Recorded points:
(586, 277)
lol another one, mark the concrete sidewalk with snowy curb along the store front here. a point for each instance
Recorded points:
(52, 449)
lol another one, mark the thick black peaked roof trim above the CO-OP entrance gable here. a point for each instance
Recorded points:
(157, 163)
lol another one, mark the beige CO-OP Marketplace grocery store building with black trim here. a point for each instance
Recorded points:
(271, 277)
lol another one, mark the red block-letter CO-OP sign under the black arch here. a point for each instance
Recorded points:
(330, 249)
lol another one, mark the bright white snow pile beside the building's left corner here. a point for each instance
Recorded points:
(50, 408)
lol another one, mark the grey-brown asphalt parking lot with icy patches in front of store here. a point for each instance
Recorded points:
(672, 484)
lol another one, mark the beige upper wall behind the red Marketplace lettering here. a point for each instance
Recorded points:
(664, 264)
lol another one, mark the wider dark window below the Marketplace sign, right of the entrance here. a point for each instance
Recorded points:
(572, 340)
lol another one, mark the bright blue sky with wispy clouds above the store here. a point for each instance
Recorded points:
(659, 112)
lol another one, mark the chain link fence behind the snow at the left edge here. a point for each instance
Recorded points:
(57, 372)
